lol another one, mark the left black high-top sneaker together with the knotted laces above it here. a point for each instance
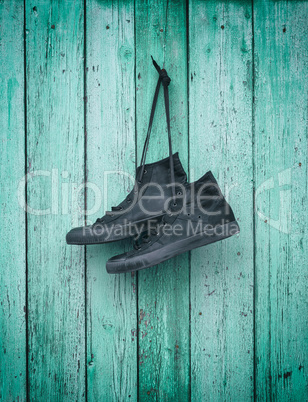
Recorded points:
(155, 184)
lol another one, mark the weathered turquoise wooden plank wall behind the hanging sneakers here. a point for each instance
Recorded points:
(228, 322)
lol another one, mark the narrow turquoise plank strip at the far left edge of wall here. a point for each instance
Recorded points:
(12, 215)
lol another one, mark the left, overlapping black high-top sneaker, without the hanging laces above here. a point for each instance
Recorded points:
(146, 202)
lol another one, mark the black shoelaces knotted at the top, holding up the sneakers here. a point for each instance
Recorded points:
(165, 80)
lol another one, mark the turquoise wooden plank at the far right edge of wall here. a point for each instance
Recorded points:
(281, 88)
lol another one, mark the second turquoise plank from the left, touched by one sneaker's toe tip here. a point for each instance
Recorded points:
(55, 144)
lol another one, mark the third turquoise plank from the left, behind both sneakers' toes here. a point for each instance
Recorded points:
(111, 299)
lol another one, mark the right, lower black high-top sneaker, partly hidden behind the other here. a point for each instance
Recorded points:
(198, 217)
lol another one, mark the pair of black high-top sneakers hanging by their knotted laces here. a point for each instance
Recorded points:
(167, 215)
